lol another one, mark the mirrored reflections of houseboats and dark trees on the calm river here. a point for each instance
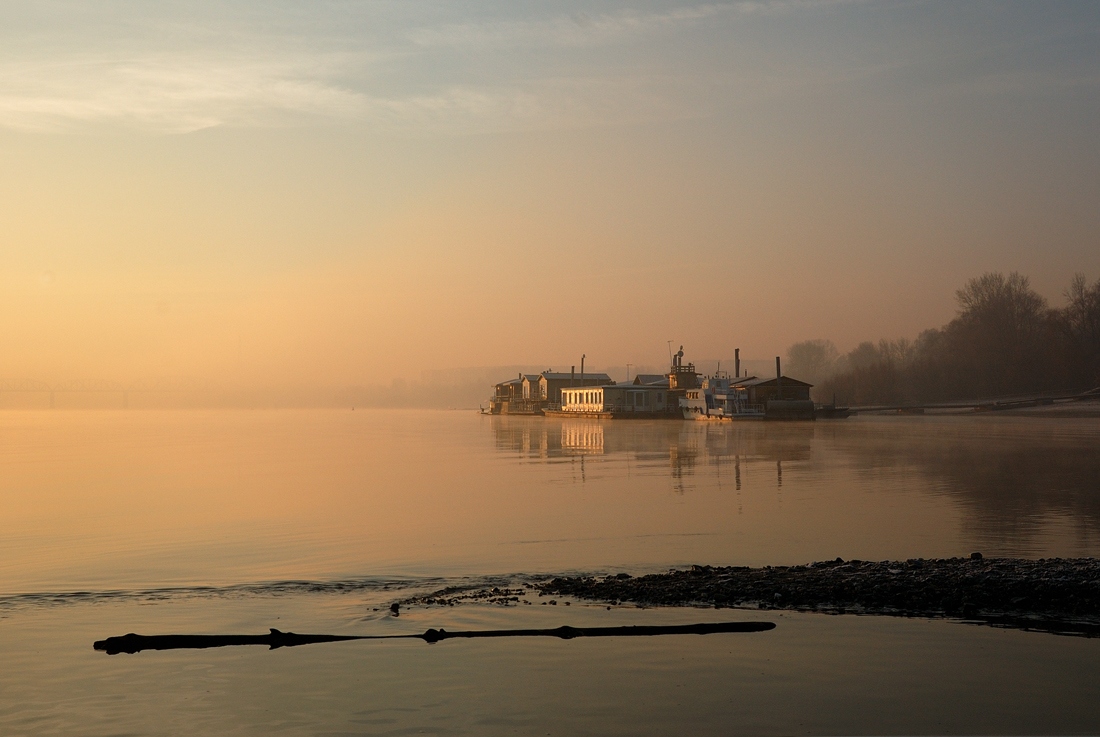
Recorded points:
(1017, 482)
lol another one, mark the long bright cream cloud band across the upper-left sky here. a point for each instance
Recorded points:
(186, 96)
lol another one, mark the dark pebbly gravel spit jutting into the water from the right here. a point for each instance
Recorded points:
(1055, 596)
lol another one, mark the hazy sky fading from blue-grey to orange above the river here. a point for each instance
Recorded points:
(339, 193)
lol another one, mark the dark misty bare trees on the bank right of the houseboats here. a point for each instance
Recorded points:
(1006, 340)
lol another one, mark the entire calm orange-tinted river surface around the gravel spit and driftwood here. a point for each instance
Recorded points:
(235, 522)
